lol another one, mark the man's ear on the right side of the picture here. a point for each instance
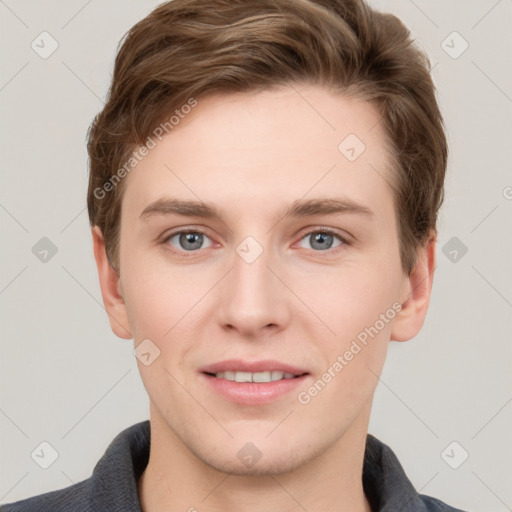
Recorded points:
(415, 295)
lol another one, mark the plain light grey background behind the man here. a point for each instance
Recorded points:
(67, 380)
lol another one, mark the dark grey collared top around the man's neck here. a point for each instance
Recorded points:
(112, 486)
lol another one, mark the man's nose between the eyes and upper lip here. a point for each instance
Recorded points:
(253, 300)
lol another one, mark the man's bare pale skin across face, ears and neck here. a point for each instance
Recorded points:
(251, 155)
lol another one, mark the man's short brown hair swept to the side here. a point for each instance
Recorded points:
(191, 48)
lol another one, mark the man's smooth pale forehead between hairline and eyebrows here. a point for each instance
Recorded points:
(264, 150)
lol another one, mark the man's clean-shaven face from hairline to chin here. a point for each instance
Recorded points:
(293, 269)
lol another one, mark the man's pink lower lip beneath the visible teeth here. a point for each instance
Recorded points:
(253, 393)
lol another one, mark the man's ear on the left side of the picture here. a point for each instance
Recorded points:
(110, 288)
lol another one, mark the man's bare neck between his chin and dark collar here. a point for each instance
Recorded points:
(175, 479)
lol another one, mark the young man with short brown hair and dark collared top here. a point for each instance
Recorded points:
(264, 186)
